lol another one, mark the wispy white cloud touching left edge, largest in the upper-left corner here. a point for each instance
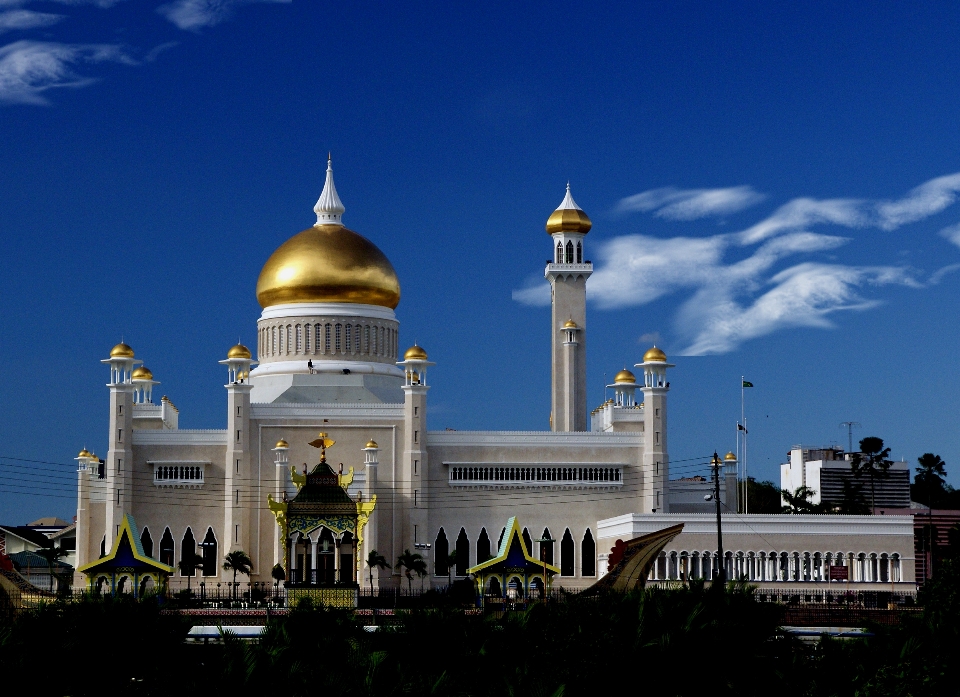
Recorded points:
(29, 68)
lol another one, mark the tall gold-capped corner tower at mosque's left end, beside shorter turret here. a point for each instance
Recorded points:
(119, 463)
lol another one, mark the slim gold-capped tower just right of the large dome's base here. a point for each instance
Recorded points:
(413, 480)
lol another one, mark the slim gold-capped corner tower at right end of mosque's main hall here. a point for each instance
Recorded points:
(656, 460)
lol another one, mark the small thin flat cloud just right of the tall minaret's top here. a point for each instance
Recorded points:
(690, 204)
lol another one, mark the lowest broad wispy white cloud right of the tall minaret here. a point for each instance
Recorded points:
(804, 295)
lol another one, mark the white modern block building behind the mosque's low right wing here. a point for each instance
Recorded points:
(827, 471)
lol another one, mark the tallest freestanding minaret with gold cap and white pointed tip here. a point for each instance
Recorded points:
(568, 273)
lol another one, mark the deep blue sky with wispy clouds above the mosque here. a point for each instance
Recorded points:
(773, 189)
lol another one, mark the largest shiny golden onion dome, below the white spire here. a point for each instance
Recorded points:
(328, 263)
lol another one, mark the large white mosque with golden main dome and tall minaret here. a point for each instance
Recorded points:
(330, 361)
